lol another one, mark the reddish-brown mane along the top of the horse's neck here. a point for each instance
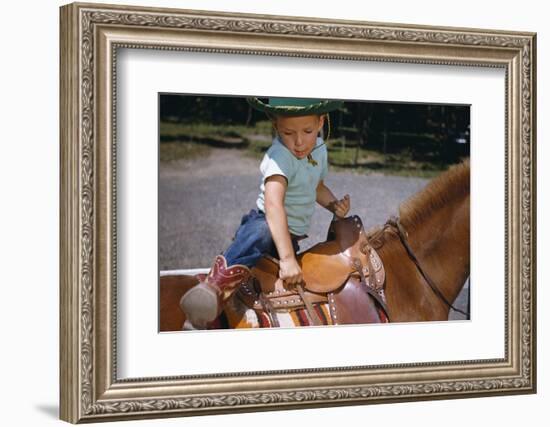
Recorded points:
(452, 185)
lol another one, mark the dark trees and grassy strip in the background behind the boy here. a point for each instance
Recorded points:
(395, 138)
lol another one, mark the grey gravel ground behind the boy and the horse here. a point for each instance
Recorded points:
(201, 202)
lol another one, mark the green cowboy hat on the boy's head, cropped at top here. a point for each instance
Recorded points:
(294, 106)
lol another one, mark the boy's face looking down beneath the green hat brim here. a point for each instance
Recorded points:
(299, 134)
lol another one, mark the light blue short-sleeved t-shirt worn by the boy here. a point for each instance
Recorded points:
(302, 180)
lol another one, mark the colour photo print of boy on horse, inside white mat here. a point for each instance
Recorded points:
(292, 212)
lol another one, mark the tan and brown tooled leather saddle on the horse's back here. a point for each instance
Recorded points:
(344, 272)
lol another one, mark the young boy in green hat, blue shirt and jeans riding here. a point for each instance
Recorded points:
(293, 170)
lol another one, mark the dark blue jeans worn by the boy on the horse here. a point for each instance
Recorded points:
(253, 240)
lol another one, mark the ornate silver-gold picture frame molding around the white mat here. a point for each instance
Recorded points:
(90, 36)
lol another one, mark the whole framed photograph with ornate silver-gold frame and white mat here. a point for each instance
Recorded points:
(416, 266)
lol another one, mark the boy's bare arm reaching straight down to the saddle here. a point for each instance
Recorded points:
(275, 189)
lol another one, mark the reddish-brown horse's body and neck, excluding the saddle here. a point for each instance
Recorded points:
(436, 227)
